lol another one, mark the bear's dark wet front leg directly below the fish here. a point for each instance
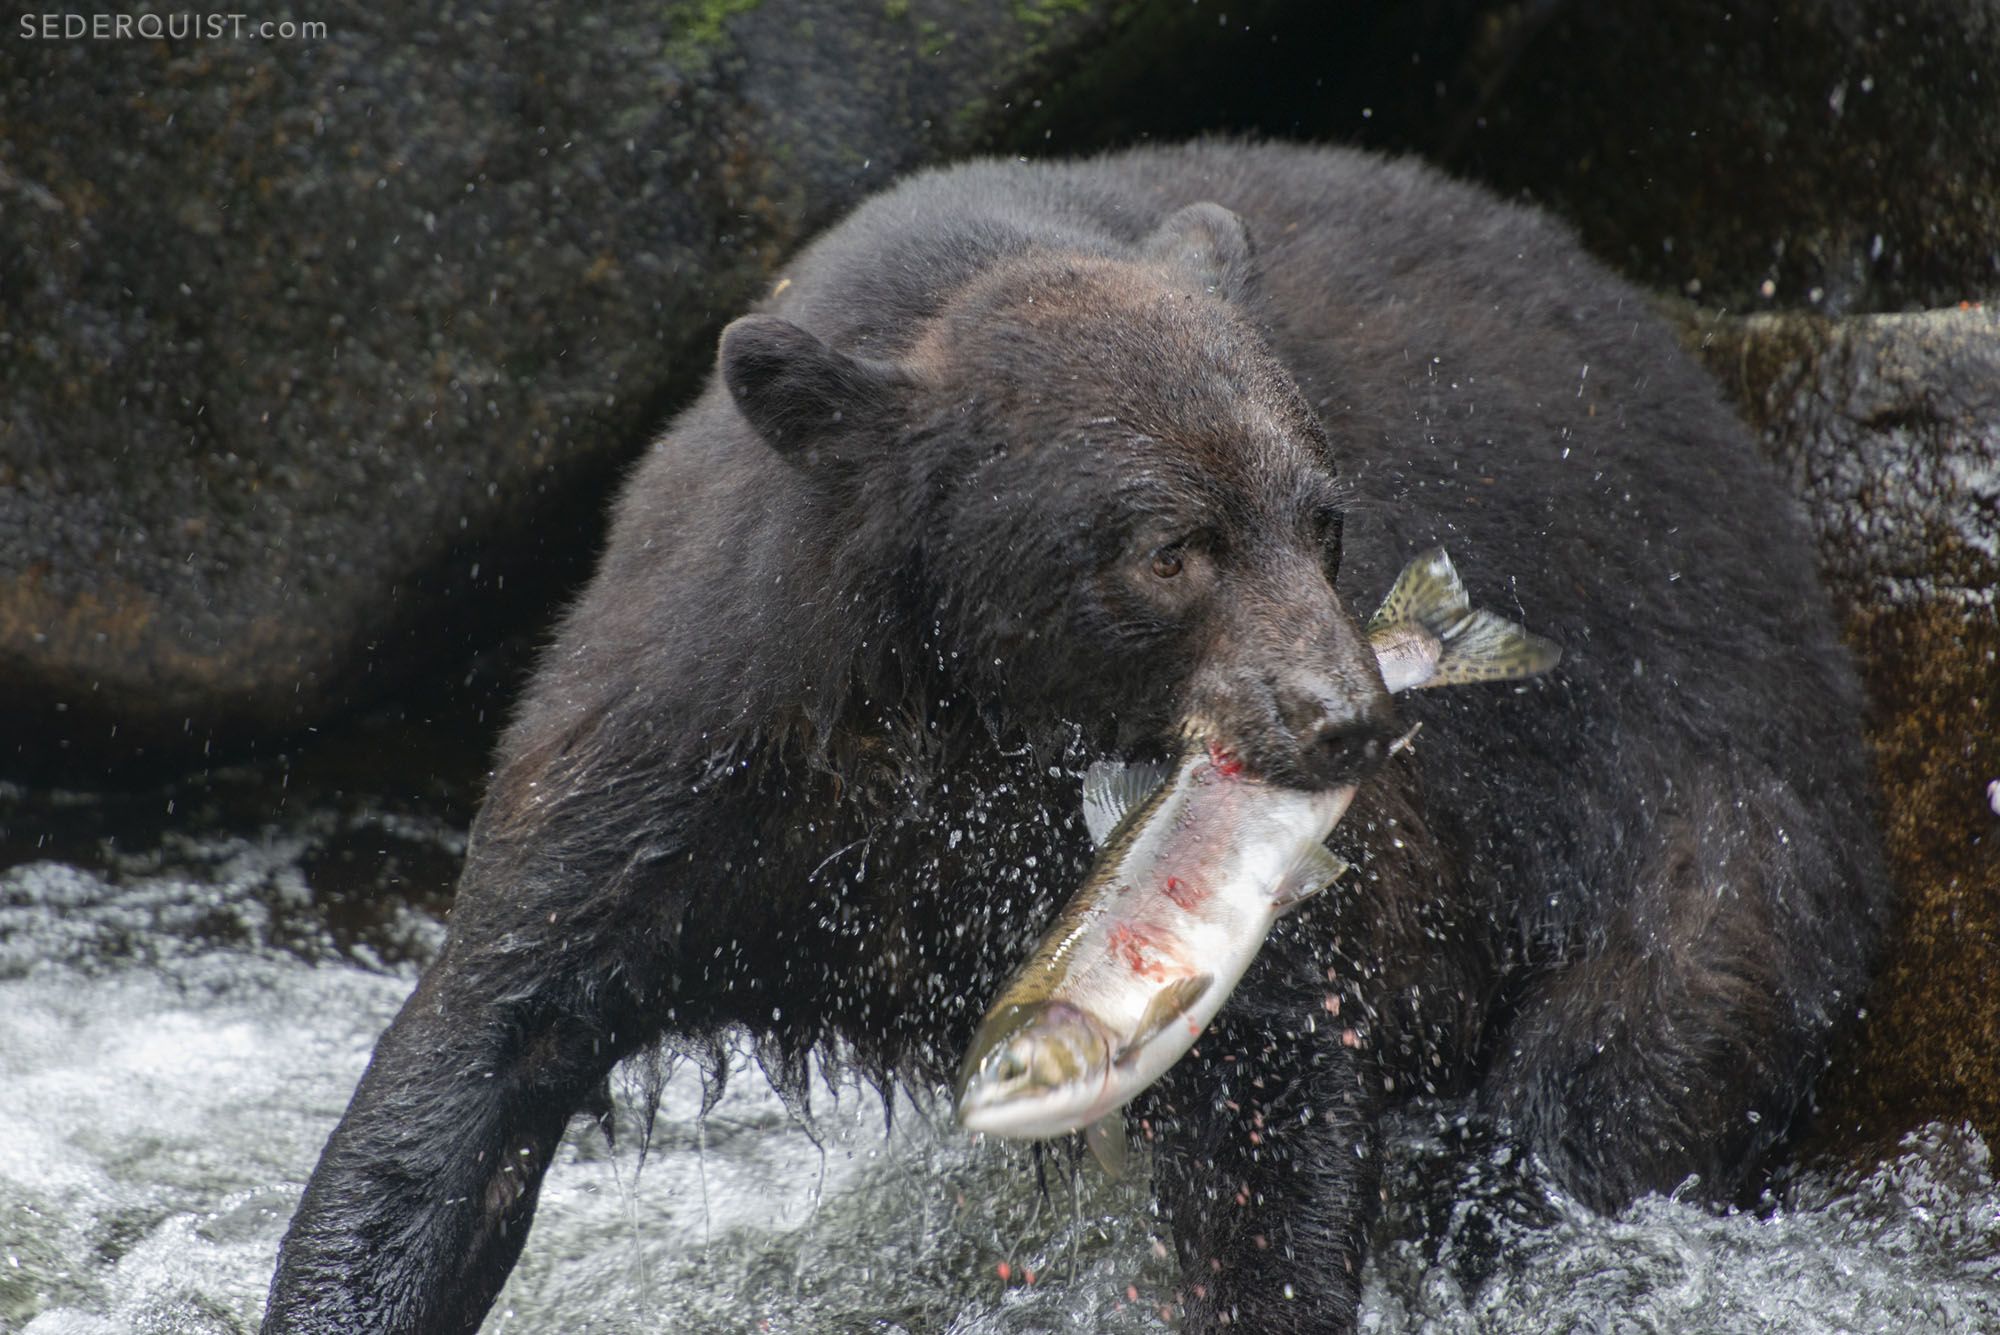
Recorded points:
(1267, 1170)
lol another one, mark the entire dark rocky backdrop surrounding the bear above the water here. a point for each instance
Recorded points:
(321, 359)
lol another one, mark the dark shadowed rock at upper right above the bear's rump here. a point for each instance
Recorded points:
(1845, 155)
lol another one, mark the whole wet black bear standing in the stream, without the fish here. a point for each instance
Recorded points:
(1027, 465)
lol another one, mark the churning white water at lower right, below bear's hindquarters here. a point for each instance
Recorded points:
(1905, 1246)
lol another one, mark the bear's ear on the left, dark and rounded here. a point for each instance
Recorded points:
(797, 391)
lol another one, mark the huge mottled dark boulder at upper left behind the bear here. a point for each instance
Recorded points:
(321, 353)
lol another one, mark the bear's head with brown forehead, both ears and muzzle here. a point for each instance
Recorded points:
(1097, 499)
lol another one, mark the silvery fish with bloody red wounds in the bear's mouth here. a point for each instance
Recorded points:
(1197, 862)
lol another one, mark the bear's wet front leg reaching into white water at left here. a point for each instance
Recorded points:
(559, 964)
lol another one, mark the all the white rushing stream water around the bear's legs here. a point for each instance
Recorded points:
(183, 1018)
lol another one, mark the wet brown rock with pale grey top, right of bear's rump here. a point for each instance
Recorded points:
(1891, 429)
